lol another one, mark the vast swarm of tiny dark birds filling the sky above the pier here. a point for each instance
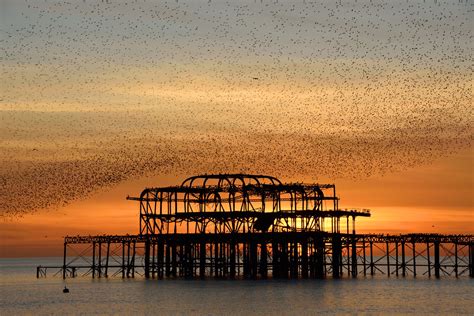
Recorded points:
(97, 92)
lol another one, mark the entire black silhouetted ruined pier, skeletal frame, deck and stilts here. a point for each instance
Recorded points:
(254, 226)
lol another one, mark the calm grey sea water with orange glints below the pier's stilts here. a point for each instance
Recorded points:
(22, 293)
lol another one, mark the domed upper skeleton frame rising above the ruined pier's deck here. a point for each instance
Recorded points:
(235, 203)
